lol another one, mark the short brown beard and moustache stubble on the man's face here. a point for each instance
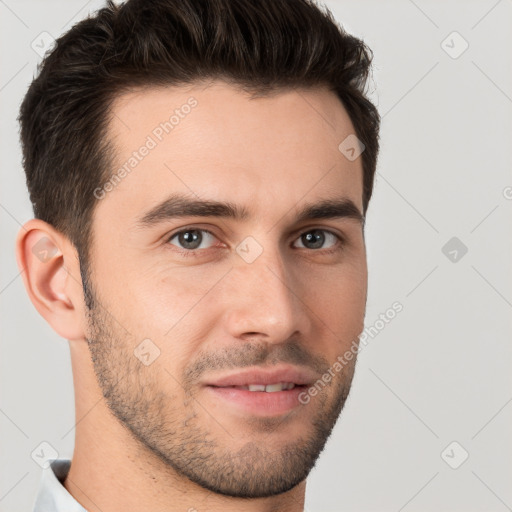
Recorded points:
(181, 433)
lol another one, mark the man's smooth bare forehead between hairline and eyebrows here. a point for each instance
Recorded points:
(267, 153)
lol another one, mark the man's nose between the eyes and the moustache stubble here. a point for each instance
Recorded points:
(263, 299)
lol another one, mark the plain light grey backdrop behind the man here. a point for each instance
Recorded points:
(440, 371)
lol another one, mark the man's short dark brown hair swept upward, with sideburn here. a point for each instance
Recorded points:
(260, 45)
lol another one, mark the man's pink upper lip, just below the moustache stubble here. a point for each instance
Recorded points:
(260, 375)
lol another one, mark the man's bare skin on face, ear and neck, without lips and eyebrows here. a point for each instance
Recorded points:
(151, 437)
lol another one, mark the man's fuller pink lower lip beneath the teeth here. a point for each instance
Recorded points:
(260, 403)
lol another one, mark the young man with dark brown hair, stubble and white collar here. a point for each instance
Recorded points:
(199, 173)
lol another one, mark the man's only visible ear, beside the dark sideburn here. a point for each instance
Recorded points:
(50, 268)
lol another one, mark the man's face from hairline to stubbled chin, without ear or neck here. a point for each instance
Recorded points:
(188, 306)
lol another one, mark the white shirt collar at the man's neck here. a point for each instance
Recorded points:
(52, 496)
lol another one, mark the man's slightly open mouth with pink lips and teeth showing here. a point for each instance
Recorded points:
(261, 392)
